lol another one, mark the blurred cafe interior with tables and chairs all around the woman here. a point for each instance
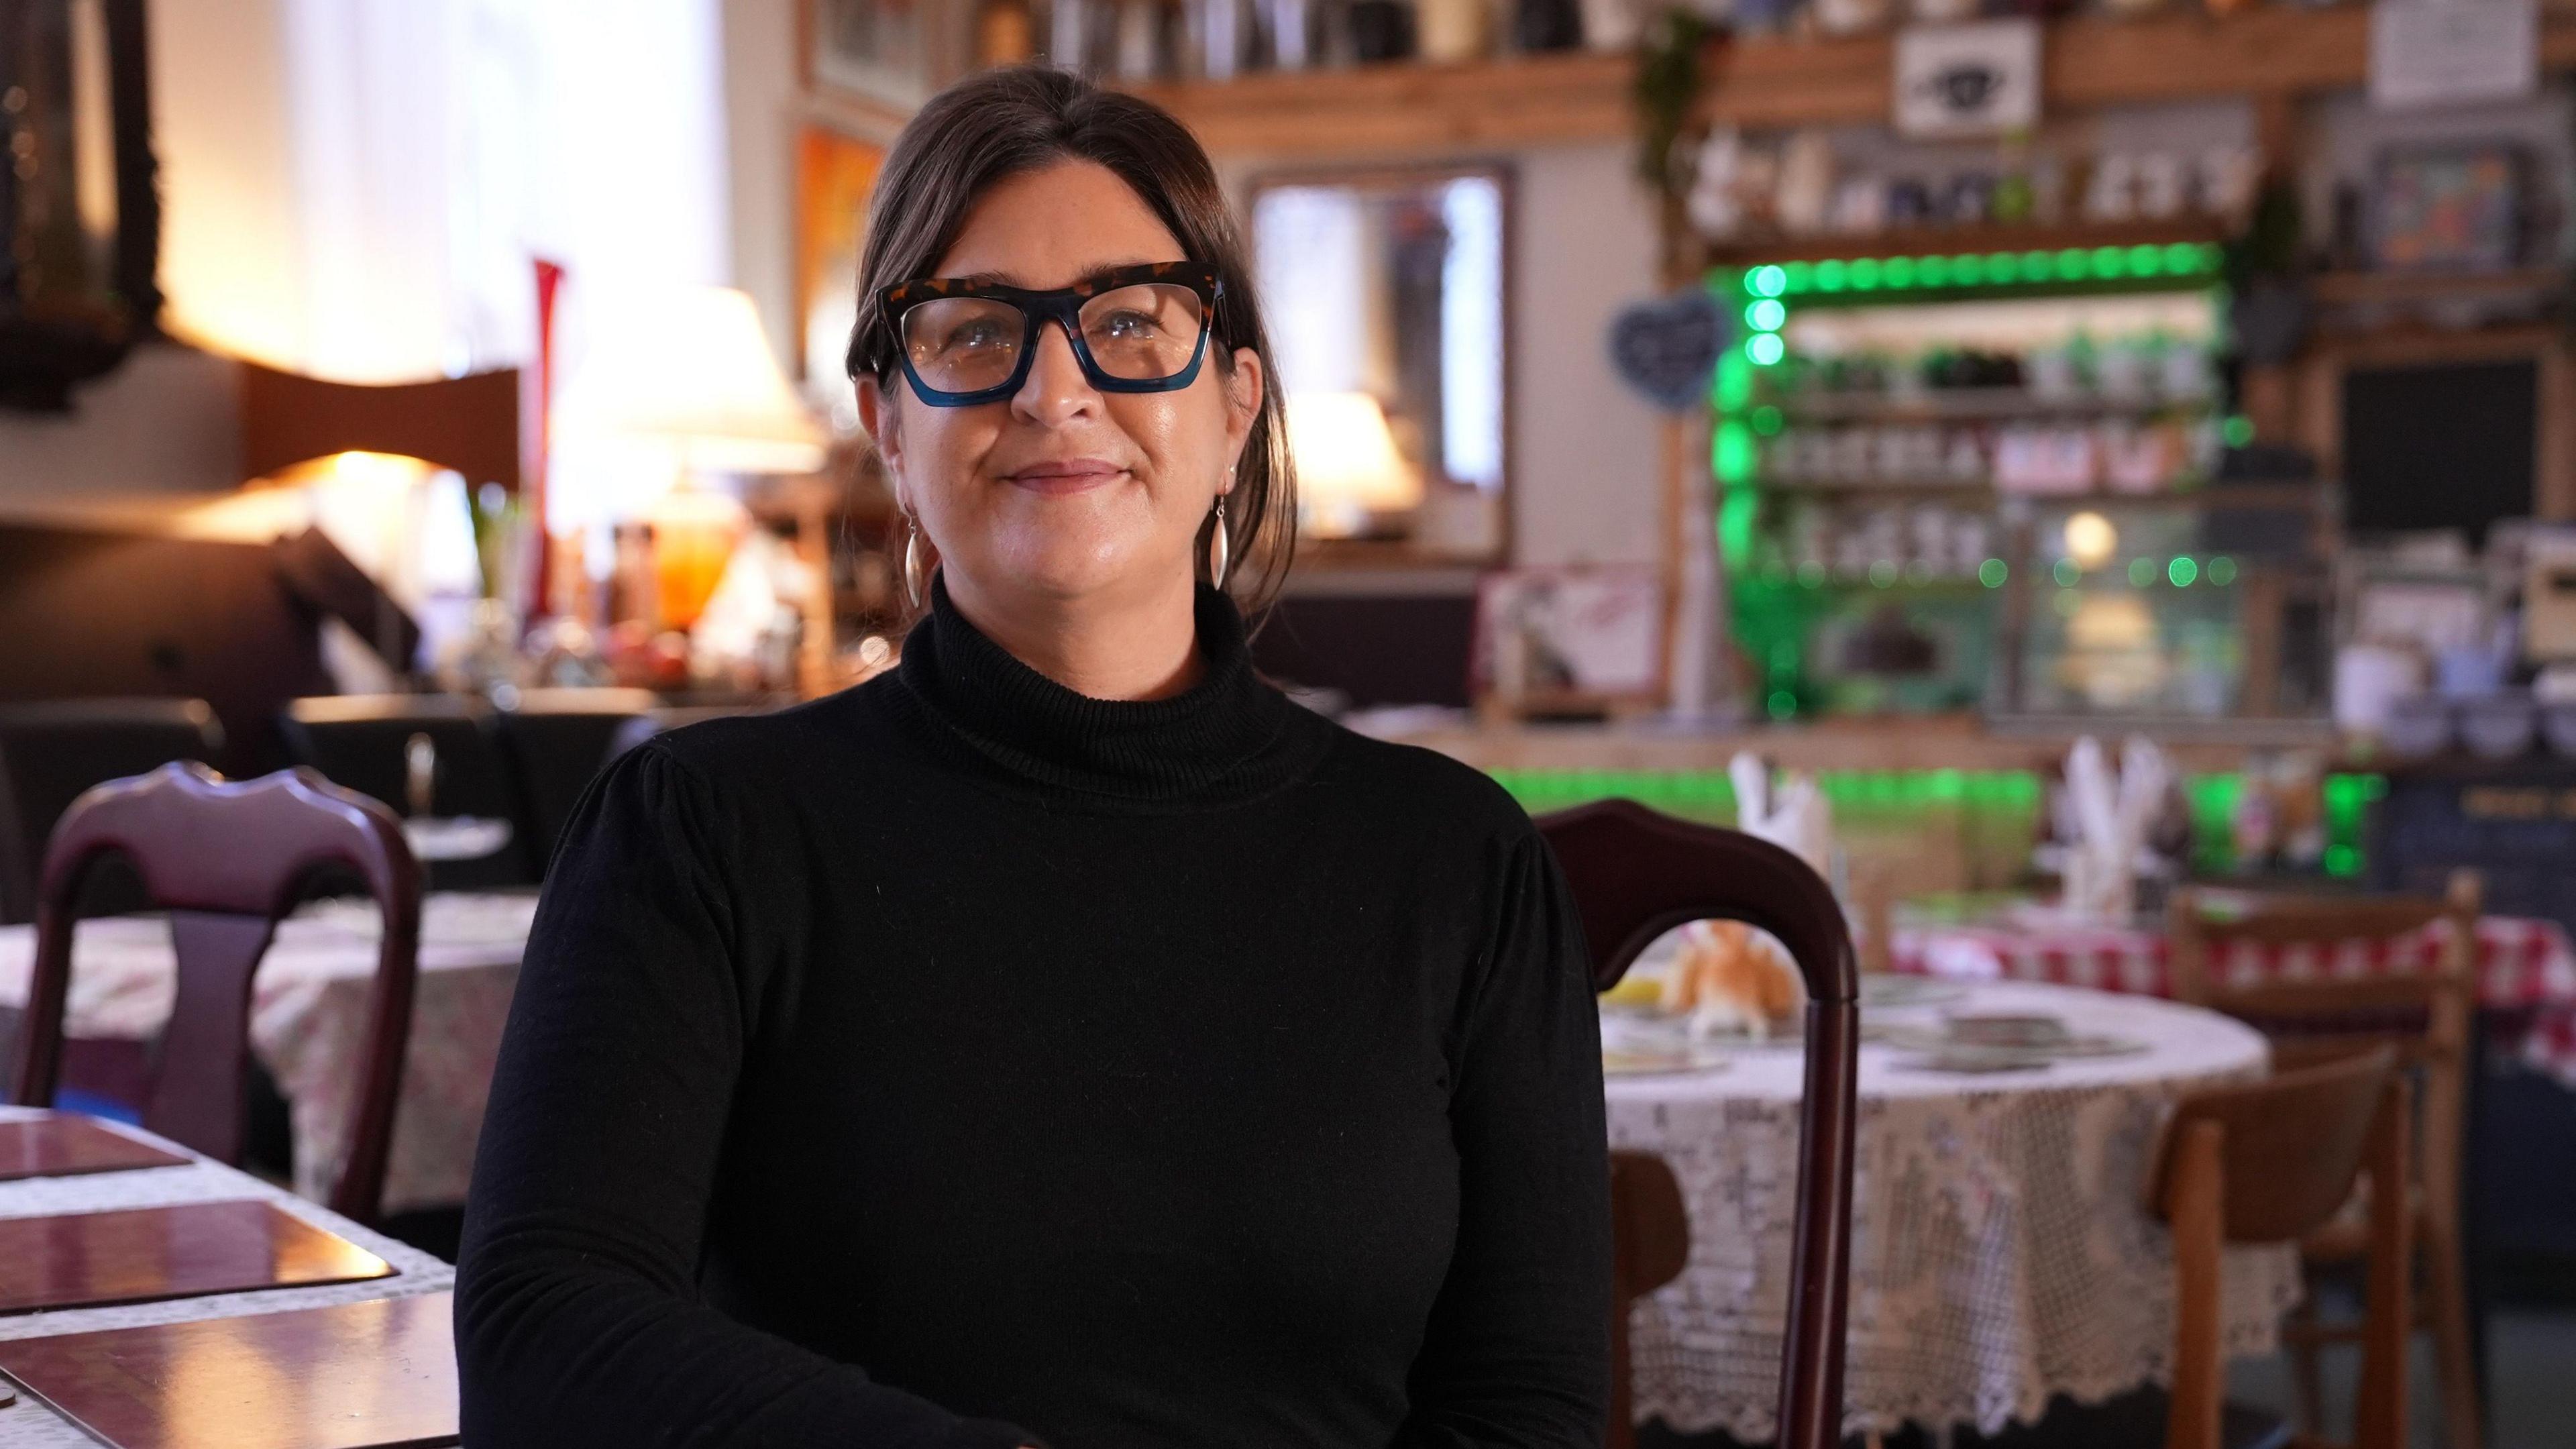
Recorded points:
(2088, 483)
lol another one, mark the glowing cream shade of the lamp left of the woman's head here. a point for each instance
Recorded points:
(694, 375)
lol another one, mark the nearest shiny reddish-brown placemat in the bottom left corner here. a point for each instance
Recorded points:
(357, 1376)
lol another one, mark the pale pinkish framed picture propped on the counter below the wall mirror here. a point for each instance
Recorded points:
(1570, 638)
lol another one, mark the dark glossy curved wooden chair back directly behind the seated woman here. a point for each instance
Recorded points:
(1637, 875)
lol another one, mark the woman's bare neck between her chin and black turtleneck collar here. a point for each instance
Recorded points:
(1119, 646)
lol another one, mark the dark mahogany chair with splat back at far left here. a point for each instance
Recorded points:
(228, 862)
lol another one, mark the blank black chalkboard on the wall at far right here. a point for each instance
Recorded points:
(2441, 447)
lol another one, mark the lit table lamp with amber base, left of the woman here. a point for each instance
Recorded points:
(694, 375)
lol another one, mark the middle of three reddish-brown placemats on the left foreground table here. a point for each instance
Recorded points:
(148, 1254)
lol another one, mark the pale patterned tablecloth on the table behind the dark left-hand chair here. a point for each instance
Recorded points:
(308, 1022)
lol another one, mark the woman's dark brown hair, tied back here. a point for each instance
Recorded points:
(1027, 117)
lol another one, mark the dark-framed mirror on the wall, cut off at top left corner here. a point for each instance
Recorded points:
(79, 218)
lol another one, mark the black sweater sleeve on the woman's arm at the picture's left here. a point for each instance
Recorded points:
(578, 1316)
